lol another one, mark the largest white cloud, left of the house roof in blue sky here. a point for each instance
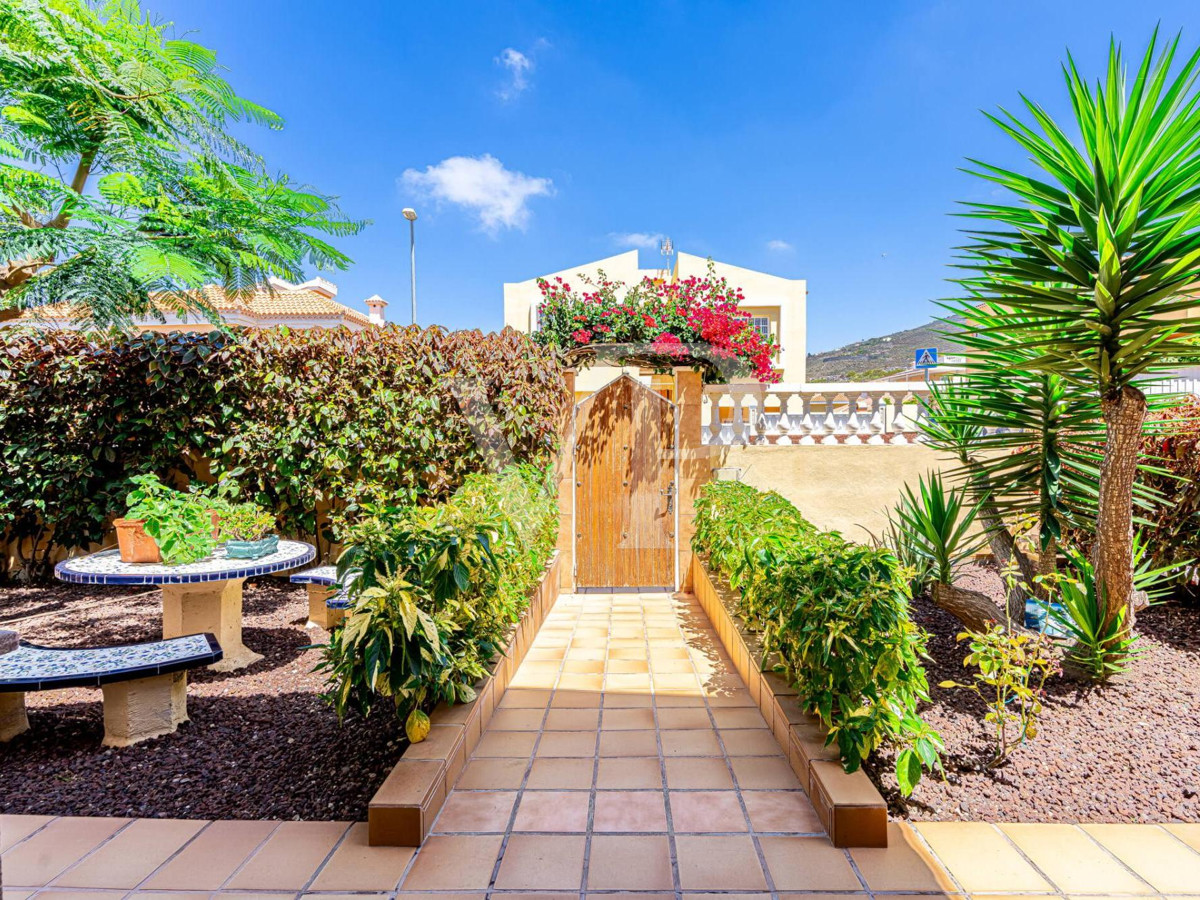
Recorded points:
(500, 197)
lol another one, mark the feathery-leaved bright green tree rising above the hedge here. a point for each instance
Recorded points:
(119, 178)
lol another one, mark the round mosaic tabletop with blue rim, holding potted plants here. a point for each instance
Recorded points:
(106, 568)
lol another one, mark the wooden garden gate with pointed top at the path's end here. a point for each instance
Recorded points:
(626, 511)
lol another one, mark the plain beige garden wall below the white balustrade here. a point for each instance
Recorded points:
(845, 489)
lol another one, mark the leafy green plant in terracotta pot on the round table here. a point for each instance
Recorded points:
(163, 525)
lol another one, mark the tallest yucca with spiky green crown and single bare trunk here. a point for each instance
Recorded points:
(1095, 261)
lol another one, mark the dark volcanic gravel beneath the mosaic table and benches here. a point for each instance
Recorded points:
(261, 742)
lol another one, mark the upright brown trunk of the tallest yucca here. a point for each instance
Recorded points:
(1125, 415)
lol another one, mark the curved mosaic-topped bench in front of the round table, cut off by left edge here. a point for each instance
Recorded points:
(145, 685)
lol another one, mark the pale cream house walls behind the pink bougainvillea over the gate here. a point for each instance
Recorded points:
(783, 301)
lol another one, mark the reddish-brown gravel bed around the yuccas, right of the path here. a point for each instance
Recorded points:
(1124, 753)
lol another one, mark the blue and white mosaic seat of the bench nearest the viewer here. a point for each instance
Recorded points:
(32, 668)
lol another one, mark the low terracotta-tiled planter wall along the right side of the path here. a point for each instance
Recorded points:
(850, 808)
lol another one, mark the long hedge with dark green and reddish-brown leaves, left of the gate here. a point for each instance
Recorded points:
(308, 423)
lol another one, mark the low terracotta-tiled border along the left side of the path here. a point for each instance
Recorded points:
(403, 811)
